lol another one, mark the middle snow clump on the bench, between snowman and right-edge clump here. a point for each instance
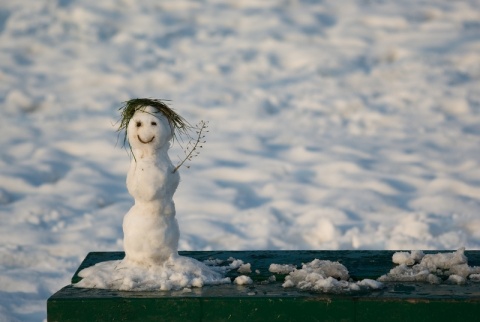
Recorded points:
(328, 277)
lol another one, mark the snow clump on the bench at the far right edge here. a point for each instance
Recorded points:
(431, 268)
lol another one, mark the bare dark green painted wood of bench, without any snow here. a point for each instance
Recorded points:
(270, 301)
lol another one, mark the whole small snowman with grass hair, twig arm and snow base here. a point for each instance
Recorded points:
(150, 229)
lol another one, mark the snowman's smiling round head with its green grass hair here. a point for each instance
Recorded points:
(149, 124)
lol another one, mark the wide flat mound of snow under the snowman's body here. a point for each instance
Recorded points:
(178, 272)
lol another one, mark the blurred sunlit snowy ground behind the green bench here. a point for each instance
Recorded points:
(333, 125)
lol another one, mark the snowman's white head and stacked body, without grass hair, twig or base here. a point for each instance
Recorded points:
(150, 228)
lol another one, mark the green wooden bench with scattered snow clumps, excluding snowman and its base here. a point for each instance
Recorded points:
(292, 286)
